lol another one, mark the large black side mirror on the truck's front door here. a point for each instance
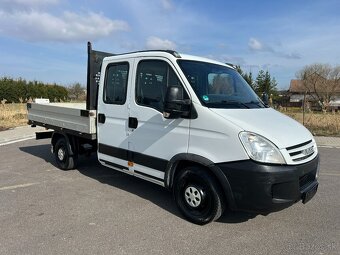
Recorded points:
(175, 105)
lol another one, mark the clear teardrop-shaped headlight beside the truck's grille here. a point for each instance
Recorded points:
(260, 149)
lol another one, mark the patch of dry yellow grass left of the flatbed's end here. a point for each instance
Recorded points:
(12, 115)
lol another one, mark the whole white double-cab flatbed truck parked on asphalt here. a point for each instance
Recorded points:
(187, 123)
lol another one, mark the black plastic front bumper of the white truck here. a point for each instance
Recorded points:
(265, 188)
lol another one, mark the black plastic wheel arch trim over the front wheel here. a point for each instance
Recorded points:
(182, 160)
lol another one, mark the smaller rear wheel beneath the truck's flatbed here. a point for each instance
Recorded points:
(62, 155)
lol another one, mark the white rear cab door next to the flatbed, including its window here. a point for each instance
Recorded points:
(113, 113)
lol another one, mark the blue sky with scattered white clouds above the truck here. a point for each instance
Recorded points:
(46, 40)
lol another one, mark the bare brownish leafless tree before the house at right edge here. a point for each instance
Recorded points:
(321, 81)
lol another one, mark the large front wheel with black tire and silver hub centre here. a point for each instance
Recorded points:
(198, 196)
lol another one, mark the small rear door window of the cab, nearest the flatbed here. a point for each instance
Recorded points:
(116, 83)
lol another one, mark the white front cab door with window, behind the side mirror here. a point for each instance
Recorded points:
(154, 140)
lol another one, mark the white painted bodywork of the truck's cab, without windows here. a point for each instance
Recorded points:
(214, 134)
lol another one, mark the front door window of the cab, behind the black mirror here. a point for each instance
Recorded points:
(153, 78)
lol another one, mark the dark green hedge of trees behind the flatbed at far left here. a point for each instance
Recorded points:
(20, 90)
